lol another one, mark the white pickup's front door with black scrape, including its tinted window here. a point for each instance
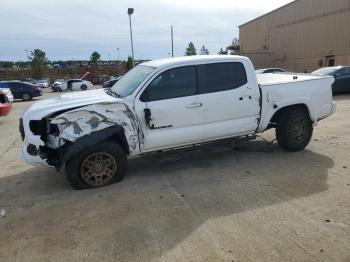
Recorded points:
(170, 109)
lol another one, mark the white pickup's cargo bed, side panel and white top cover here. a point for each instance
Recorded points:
(281, 90)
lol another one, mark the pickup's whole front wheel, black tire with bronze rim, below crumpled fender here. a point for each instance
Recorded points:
(85, 169)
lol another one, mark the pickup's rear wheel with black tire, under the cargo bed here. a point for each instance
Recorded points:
(294, 130)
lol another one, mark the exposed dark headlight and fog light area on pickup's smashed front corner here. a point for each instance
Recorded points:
(47, 132)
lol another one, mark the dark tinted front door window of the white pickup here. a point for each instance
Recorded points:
(174, 83)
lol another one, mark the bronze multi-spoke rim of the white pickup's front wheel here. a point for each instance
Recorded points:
(98, 169)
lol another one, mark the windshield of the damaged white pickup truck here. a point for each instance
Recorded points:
(131, 80)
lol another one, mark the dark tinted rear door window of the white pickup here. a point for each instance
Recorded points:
(221, 77)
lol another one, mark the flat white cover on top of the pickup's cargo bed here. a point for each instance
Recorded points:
(283, 78)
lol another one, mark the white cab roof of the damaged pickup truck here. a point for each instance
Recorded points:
(191, 59)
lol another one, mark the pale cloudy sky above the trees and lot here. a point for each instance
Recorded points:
(73, 29)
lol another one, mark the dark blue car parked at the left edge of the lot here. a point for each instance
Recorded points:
(22, 90)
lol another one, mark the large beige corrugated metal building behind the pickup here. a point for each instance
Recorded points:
(300, 36)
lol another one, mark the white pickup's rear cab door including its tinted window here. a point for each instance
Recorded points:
(230, 101)
